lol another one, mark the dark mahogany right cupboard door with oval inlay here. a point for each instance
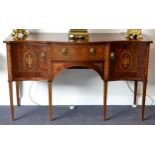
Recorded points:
(127, 61)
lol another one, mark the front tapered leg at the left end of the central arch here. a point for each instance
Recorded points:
(50, 99)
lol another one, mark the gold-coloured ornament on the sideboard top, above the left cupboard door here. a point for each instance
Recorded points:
(18, 34)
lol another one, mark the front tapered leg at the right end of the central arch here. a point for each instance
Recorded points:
(105, 99)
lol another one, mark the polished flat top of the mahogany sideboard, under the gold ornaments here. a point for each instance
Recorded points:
(63, 38)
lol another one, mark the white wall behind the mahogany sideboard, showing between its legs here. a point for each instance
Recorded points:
(76, 87)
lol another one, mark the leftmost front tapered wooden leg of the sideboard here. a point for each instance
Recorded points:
(11, 99)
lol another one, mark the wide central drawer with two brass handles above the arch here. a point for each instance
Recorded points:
(78, 52)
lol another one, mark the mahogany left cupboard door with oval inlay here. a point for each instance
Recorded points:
(29, 60)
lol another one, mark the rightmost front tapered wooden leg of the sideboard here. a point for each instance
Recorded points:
(143, 99)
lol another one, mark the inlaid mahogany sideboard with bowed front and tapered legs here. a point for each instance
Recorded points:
(42, 56)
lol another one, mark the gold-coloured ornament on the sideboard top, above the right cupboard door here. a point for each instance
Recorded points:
(134, 34)
